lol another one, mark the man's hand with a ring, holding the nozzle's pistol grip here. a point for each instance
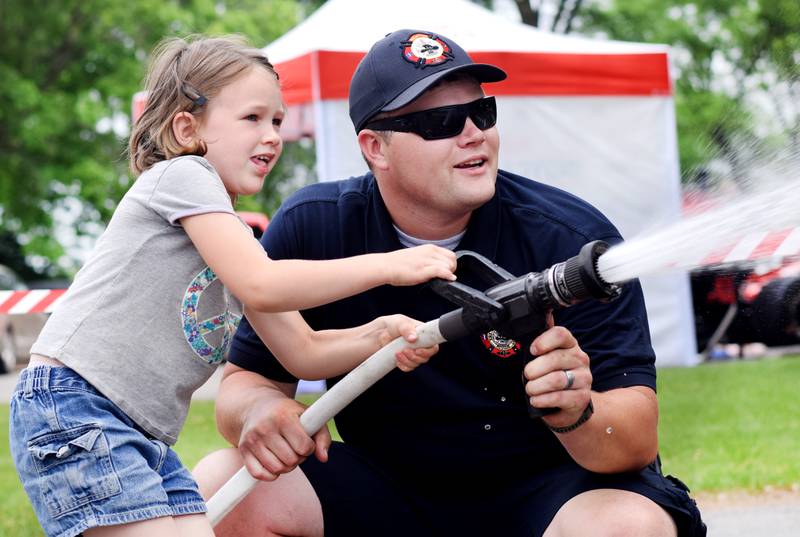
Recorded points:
(559, 358)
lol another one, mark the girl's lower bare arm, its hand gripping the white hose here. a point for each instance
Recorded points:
(314, 355)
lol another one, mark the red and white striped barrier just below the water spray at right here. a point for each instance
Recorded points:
(756, 246)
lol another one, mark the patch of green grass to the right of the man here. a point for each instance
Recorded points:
(726, 426)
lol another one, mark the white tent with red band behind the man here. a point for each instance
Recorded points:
(593, 117)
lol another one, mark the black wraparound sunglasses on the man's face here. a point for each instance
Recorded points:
(442, 122)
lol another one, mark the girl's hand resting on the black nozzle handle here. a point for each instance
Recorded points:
(419, 264)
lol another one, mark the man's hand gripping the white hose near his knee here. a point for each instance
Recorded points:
(273, 442)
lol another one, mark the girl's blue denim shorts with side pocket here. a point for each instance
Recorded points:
(84, 463)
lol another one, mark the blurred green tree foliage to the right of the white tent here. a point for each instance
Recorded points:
(737, 78)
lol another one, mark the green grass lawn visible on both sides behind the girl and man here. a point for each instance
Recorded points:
(723, 426)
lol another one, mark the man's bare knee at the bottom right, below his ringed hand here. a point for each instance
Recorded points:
(611, 513)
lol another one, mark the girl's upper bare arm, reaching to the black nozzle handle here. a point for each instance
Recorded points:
(269, 286)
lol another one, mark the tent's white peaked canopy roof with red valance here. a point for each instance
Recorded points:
(317, 58)
